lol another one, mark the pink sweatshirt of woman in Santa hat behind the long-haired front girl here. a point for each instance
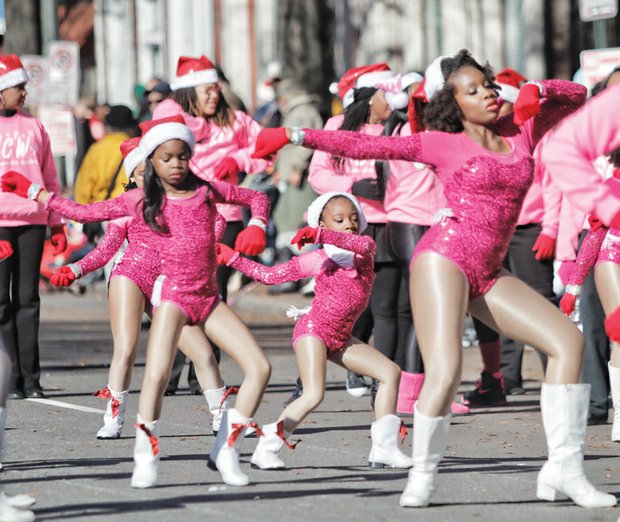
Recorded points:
(214, 143)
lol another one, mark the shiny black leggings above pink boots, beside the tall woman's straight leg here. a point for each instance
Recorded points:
(402, 240)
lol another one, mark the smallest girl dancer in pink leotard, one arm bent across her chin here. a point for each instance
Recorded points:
(344, 272)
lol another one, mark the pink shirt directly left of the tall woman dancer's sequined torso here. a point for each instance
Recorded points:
(413, 192)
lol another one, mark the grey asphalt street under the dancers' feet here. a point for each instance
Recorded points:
(51, 452)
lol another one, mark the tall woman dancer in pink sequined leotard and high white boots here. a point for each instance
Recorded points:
(486, 165)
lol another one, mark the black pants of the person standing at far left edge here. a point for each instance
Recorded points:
(20, 303)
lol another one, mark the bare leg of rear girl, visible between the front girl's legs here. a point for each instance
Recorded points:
(195, 345)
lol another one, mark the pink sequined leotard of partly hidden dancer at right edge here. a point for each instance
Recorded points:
(599, 246)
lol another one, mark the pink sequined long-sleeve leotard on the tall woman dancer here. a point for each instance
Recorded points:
(484, 189)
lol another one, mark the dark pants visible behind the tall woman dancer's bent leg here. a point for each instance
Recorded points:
(521, 261)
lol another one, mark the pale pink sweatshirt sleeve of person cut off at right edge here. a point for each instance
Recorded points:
(573, 147)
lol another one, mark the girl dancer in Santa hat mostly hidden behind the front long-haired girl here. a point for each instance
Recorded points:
(130, 289)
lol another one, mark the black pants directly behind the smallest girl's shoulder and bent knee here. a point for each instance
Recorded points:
(379, 317)
